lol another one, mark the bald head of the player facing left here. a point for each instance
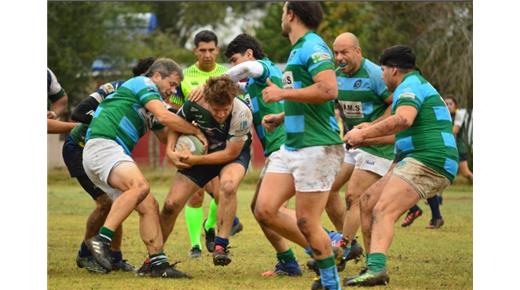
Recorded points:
(347, 53)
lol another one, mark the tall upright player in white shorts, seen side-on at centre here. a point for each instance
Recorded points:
(312, 153)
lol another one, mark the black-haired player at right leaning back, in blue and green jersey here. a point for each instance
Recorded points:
(426, 153)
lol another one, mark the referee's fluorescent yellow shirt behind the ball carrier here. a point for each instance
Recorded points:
(194, 77)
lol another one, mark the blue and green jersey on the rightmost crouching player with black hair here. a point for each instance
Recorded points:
(430, 138)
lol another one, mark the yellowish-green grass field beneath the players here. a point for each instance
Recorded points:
(418, 258)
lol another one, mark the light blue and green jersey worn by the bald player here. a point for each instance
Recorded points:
(362, 98)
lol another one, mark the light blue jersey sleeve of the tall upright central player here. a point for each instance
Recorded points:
(317, 58)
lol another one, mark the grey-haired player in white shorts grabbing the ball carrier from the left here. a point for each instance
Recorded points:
(117, 124)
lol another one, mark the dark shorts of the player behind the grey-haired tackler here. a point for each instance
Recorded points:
(73, 157)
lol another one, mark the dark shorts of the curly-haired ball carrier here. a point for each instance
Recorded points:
(202, 174)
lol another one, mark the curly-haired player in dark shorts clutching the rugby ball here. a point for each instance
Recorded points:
(226, 122)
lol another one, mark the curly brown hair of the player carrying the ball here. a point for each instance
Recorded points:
(220, 90)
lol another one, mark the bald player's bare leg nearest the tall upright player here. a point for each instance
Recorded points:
(336, 208)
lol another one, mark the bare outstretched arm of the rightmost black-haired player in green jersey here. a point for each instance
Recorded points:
(402, 119)
